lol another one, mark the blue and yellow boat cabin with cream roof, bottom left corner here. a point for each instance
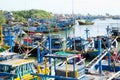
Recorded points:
(16, 69)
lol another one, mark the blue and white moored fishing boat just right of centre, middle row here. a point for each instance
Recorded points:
(81, 46)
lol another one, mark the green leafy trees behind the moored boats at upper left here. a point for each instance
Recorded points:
(23, 15)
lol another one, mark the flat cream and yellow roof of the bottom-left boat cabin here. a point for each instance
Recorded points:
(16, 62)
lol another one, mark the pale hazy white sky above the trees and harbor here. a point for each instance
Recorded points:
(94, 7)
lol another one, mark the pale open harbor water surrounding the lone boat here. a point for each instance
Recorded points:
(97, 29)
